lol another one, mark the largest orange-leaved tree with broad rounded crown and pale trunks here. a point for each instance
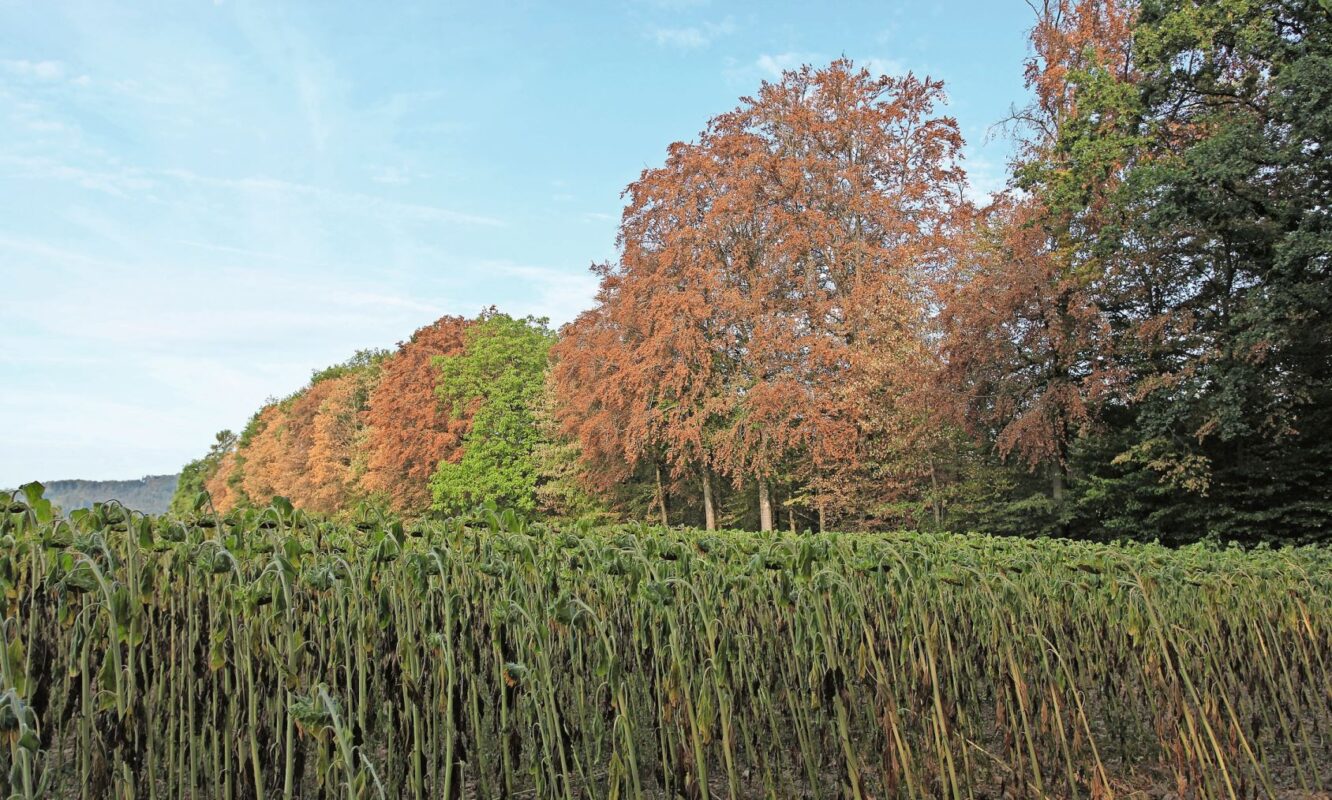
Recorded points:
(769, 274)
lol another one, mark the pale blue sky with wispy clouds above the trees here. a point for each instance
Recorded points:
(203, 202)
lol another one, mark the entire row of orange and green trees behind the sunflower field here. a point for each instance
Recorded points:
(812, 324)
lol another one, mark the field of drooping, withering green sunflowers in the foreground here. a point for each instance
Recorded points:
(272, 656)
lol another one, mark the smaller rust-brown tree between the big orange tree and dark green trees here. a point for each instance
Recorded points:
(1021, 332)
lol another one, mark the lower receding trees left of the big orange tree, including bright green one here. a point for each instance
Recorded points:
(444, 423)
